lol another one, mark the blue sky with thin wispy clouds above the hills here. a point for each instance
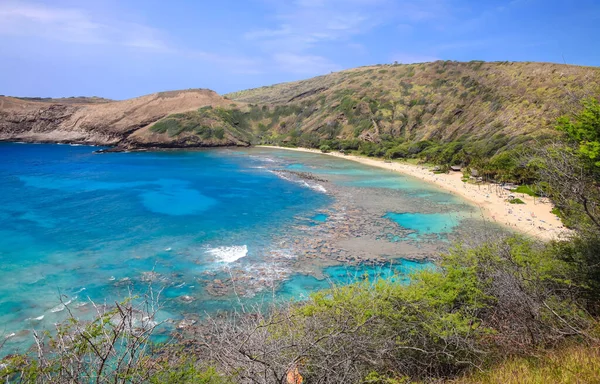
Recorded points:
(122, 49)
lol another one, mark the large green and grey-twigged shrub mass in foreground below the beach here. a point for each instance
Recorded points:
(500, 299)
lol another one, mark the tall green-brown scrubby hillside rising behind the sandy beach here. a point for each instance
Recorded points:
(499, 105)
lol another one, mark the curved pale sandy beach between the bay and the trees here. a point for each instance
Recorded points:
(534, 218)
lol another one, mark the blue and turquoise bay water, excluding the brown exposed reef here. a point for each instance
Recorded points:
(94, 226)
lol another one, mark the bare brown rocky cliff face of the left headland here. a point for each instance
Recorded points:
(104, 123)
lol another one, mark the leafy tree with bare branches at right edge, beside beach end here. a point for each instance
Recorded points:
(571, 171)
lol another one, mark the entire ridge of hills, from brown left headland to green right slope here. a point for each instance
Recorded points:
(446, 112)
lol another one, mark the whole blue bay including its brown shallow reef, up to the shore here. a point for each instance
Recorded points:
(77, 226)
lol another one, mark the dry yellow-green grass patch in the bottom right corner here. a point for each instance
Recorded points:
(576, 364)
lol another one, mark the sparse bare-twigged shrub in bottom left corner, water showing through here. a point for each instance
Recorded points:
(114, 347)
